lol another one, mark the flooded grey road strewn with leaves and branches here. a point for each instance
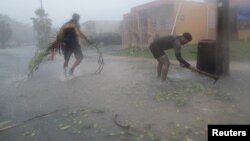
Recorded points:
(128, 87)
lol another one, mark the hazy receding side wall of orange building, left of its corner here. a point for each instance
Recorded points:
(145, 22)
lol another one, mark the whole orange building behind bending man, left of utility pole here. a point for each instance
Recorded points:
(169, 17)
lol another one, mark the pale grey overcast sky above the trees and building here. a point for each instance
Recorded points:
(61, 10)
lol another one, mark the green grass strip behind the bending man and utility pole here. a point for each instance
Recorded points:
(239, 51)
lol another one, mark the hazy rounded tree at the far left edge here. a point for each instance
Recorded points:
(5, 32)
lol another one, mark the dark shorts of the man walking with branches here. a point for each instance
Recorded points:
(72, 47)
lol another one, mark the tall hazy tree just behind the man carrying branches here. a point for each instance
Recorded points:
(42, 26)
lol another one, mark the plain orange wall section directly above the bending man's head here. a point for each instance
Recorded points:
(197, 18)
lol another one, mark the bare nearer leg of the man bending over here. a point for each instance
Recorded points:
(165, 66)
